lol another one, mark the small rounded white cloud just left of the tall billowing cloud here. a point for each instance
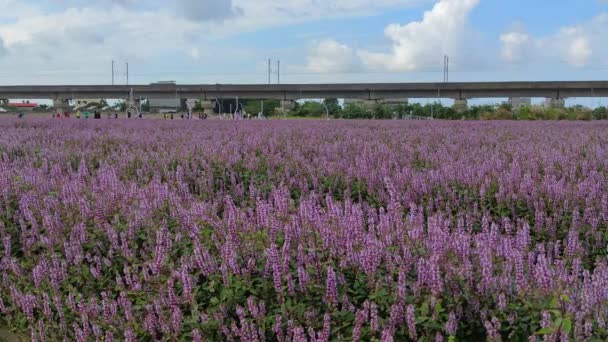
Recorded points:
(331, 56)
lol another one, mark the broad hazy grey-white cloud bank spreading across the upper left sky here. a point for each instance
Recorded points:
(80, 36)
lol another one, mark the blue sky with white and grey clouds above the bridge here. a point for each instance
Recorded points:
(230, 41)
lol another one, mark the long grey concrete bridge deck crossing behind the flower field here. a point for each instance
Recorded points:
(289, 92)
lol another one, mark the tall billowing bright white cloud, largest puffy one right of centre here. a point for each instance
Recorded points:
(421, 44)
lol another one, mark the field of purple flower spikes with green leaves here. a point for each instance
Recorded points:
(303, 231)
